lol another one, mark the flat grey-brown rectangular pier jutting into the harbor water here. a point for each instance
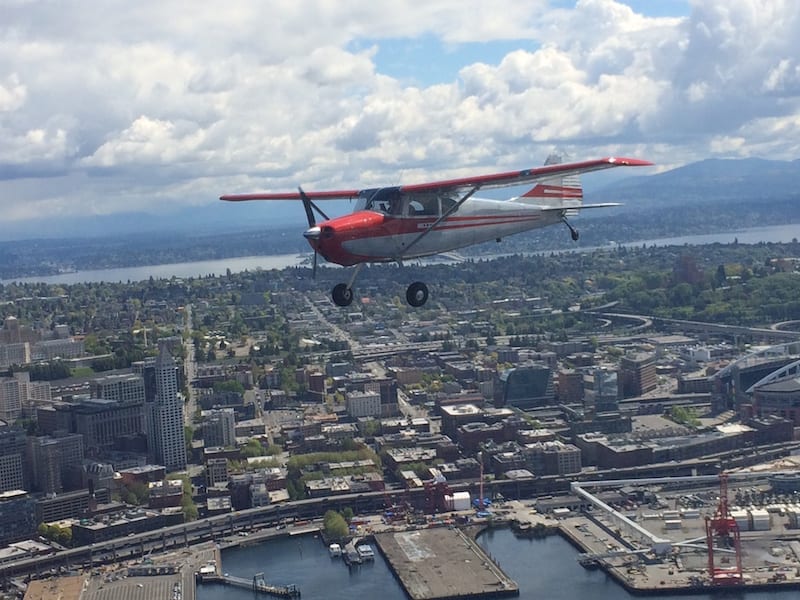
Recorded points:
(443, 563)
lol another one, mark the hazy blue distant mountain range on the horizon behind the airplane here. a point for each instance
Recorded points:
(711, 180)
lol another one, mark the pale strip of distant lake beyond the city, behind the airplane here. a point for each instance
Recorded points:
(778, 233)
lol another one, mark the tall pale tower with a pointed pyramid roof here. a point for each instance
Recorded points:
(167, 434)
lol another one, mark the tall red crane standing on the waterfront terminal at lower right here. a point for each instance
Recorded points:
(722, 533)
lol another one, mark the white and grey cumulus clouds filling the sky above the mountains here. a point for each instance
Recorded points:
(138, 103)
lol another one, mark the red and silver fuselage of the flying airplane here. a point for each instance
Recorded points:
(376, 236)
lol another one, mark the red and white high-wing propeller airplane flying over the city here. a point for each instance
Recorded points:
(393, 224)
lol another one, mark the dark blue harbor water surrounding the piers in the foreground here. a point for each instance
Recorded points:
(544, 569)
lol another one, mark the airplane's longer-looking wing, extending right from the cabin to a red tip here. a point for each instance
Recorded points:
(512, 178)
